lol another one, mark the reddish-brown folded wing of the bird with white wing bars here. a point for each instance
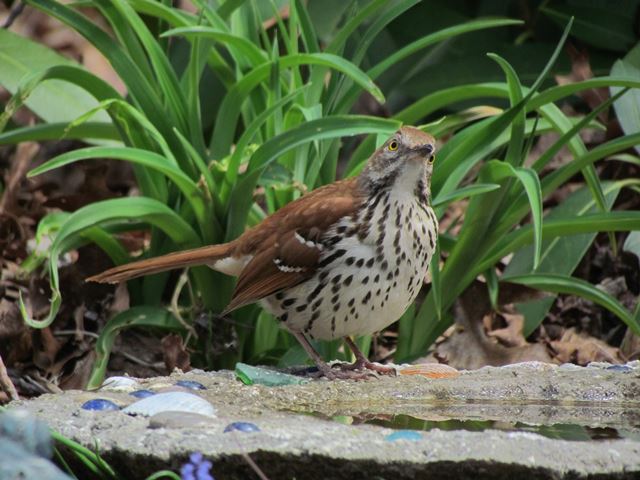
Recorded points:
(286, 246)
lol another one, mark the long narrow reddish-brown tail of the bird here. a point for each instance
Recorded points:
(186, 258)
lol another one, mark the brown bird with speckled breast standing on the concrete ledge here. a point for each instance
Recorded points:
(345, 259)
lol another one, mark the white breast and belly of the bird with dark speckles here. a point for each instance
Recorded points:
(366, 279)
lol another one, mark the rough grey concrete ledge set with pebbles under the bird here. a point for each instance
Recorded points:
(293, 444)
